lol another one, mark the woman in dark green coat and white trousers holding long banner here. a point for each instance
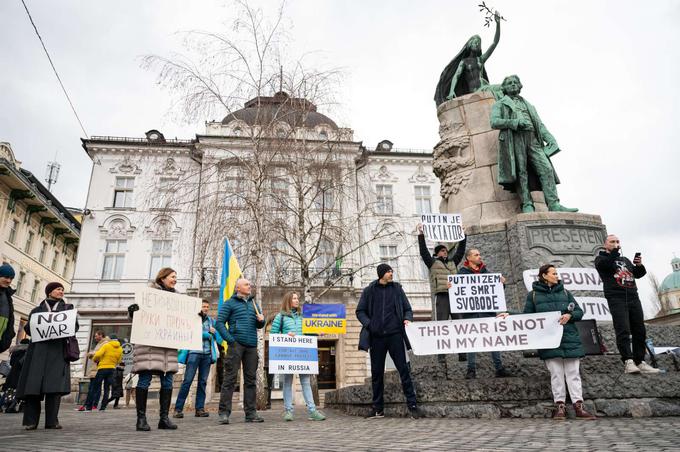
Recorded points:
(549, 294)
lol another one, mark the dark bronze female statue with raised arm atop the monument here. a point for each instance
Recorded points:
(466, 74)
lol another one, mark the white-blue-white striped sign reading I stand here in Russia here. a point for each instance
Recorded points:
(293, 354)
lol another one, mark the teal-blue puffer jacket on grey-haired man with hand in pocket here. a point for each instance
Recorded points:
(240, 314)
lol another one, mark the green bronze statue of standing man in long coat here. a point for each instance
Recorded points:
(524, 149)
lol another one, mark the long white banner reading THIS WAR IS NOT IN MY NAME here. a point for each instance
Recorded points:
(517, 332)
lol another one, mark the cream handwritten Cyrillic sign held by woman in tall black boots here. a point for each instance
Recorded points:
(167, 319)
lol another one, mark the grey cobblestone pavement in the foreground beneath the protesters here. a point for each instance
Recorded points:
(114, 430)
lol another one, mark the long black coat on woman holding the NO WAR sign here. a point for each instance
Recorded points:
(45, 371)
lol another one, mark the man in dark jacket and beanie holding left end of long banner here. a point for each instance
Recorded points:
(384, 311)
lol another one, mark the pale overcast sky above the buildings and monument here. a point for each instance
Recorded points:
(603, 75)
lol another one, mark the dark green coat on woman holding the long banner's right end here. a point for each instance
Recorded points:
(556, 298)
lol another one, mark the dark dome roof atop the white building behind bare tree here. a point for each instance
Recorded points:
(294, 111)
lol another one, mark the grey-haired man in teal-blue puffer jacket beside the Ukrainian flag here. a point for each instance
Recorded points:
(244, 318)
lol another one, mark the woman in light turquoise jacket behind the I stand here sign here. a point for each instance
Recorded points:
(289, 321)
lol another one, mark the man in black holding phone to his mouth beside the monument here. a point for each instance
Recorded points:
(618, 276)
